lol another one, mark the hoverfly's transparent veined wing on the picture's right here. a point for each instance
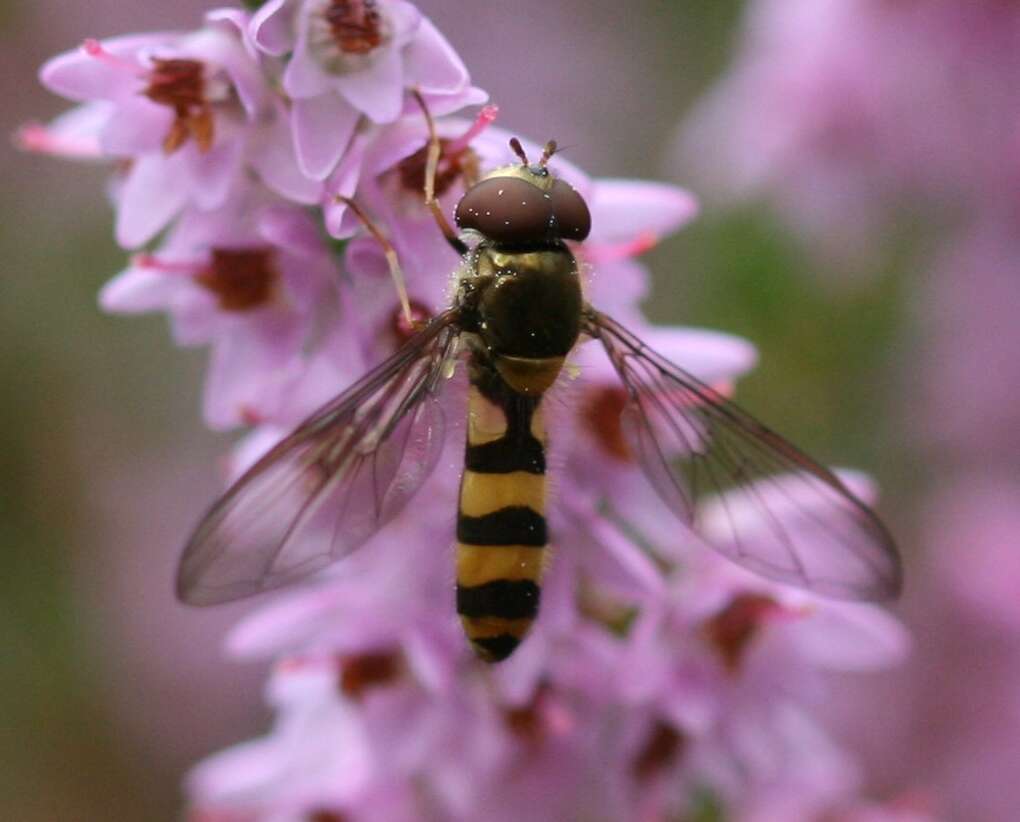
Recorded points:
(751, 495)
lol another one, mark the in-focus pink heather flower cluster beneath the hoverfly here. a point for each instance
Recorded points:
(660, 682)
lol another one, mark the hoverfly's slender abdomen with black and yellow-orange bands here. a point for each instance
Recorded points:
(501, 525)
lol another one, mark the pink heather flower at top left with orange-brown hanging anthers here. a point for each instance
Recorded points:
(189, 112)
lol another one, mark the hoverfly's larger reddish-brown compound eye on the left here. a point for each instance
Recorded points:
(506, 211)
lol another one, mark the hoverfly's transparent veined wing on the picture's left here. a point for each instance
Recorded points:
(331, 485)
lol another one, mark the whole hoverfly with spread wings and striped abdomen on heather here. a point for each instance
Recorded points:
(519, 313)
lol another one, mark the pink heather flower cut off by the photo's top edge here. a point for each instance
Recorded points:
(350, 59)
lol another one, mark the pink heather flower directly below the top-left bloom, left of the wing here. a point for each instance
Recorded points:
(247, 281)
